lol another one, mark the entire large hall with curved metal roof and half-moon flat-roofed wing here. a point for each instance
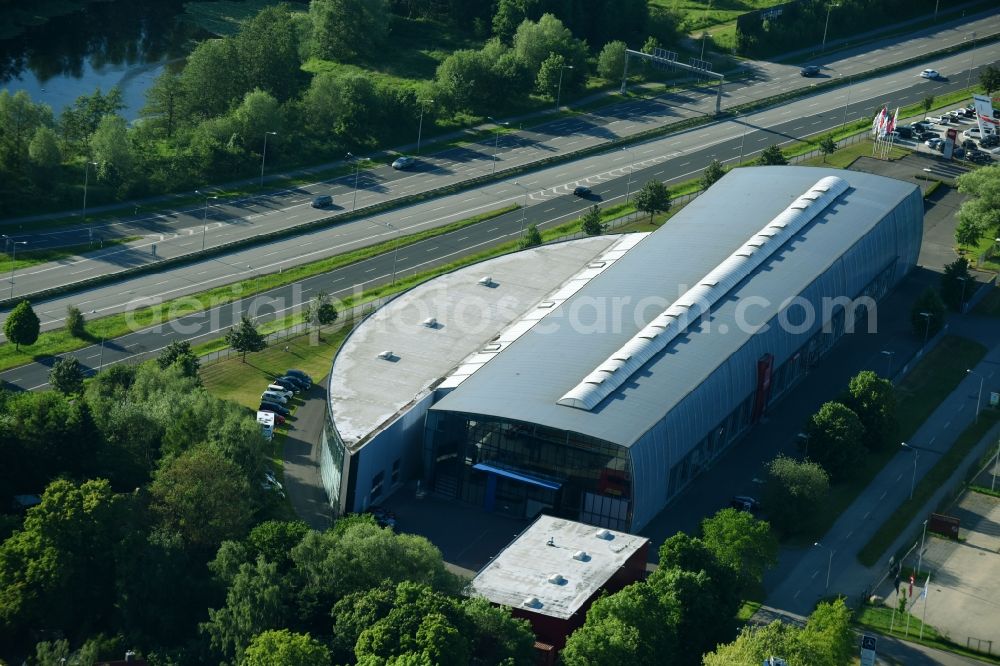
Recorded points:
(594, 379)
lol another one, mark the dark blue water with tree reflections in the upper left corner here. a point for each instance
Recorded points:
(116, 42)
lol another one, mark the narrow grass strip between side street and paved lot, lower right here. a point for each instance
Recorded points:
(932, 481)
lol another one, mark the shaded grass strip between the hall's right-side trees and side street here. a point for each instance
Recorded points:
(934, 377)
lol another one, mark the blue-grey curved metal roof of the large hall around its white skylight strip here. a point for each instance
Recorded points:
(526, 381)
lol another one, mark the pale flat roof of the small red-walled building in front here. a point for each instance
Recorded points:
(555, 566)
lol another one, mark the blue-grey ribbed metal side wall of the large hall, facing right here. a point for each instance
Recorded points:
(894, 240)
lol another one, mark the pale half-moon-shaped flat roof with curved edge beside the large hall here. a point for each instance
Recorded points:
(367, 392)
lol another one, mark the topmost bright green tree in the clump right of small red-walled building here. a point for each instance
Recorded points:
(743, 543)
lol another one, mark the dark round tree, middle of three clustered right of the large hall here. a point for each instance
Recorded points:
(835, 440)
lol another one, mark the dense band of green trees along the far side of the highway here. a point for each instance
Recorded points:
(208, 121)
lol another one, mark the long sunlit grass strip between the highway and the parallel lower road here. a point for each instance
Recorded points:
(55, 342)
